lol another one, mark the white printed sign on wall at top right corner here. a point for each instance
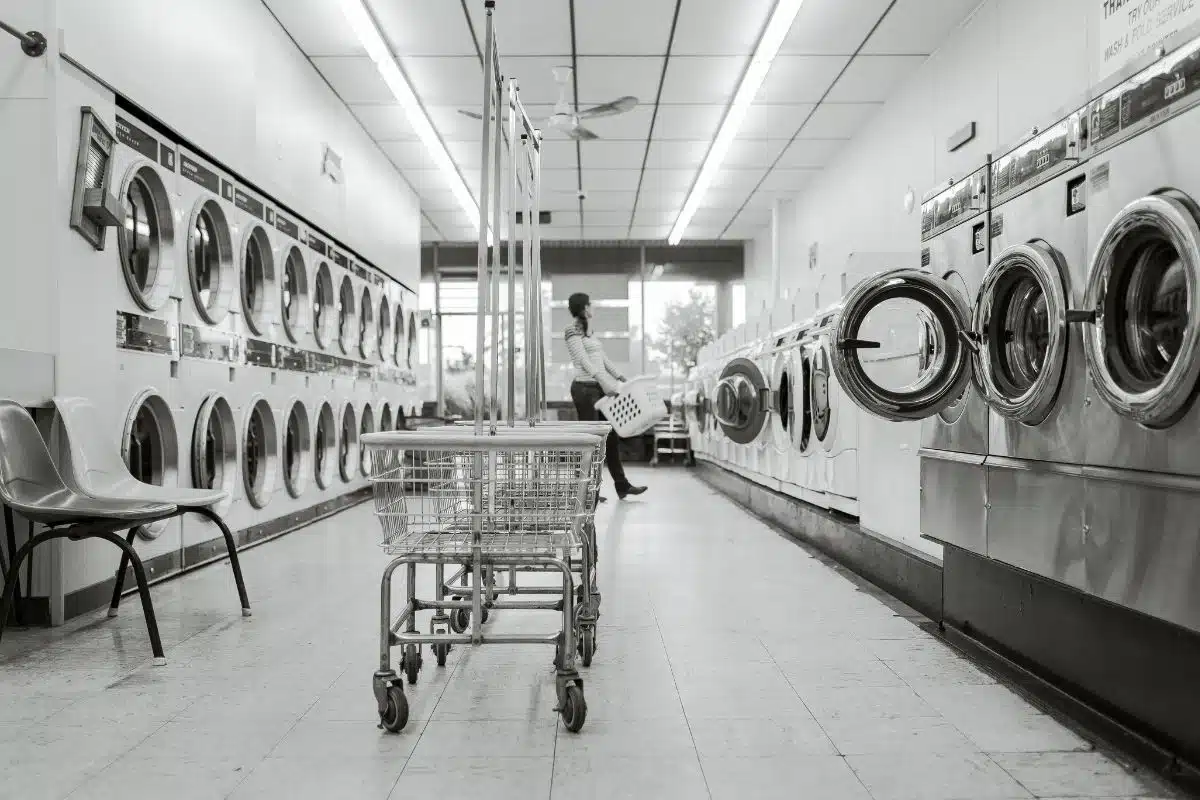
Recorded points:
(1124, 31)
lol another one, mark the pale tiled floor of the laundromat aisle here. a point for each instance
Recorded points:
(705, 685)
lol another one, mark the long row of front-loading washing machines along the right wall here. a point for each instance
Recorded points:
(1048, 344)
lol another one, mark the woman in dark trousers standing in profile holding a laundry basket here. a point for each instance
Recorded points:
(595, 378)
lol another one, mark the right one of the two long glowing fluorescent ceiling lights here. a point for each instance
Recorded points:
(760, 65)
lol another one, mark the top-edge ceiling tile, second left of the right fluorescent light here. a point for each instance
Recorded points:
(623, 27)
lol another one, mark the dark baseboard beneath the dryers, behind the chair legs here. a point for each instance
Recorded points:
(172, 566)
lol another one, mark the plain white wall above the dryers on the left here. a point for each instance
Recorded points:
(229, 79)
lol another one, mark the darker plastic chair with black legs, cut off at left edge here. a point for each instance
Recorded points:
(33, 488)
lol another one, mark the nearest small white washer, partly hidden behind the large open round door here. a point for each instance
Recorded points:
(835, 420)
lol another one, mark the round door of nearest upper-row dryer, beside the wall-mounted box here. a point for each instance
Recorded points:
(147, 240)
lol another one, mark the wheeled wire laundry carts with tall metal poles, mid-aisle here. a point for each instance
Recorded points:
(494, 502)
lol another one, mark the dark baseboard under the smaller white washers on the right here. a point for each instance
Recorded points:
(905, 574)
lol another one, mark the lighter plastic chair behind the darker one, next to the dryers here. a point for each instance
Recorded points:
(92, 467)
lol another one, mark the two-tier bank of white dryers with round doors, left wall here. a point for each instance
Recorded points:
(250, 353)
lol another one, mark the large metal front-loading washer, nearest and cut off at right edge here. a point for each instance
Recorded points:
(1143, 350)
